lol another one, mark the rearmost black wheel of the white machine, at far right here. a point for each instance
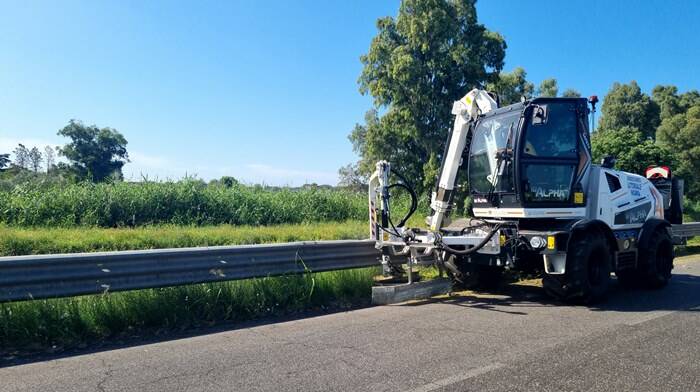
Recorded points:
(656, 263)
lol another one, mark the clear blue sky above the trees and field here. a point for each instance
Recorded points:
(267, 91)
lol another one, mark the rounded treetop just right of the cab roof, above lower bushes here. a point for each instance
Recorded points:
(626, 106)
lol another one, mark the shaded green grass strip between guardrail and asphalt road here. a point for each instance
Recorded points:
(53, 325)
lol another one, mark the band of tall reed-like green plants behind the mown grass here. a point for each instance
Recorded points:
(186, 202)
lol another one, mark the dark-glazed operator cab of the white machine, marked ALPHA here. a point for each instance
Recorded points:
(530, 155)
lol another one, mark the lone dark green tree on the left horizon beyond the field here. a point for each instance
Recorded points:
(94, 153)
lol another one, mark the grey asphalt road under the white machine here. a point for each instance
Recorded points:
(519, 340)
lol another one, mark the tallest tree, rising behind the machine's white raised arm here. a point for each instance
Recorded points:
(420, 62)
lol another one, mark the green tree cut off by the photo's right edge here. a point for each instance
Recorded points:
(681, 134)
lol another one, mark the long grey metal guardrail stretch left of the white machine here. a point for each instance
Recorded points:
(60, 275)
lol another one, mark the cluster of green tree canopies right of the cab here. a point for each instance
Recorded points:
(661, 129)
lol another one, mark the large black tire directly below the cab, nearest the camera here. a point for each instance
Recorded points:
(588, 267)
